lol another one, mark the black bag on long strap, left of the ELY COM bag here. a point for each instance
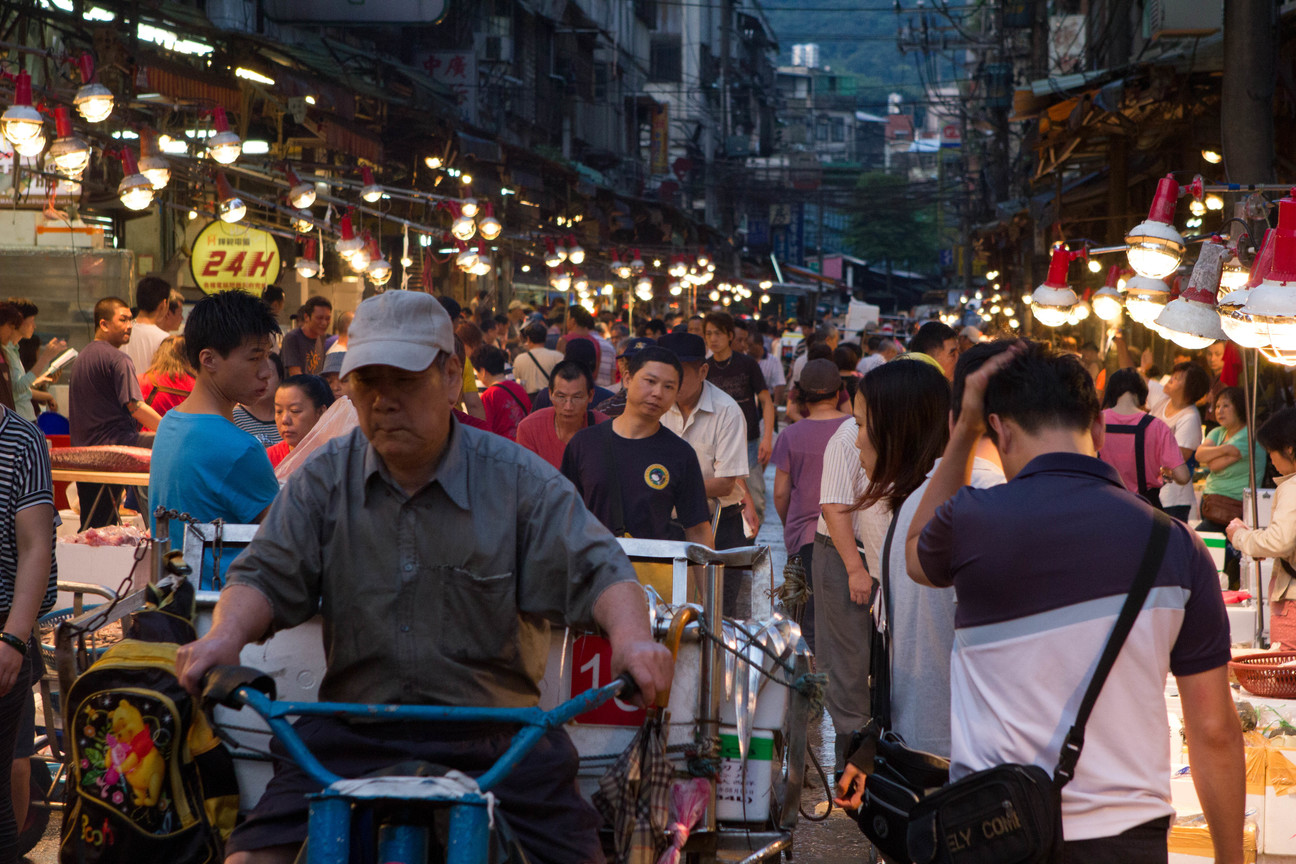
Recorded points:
(899, 777)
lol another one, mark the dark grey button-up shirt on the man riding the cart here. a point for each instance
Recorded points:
(441, 598)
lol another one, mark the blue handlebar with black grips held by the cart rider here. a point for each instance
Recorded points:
(535, 722)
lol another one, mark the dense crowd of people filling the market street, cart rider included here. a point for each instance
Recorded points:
(479, 464)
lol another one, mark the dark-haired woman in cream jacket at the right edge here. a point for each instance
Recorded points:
(1277, 541)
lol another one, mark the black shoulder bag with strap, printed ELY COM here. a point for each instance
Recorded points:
(1012, 814)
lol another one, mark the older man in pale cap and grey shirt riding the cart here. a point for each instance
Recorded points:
(436, 590)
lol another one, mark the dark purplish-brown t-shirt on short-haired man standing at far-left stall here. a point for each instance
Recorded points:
(102, 388)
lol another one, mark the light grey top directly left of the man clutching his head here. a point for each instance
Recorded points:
(922, 635)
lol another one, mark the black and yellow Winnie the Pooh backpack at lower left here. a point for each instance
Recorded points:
(148, 780)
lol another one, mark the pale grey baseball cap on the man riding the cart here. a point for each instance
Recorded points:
(400, 328)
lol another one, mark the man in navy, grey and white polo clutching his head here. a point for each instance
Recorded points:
(1043, 565)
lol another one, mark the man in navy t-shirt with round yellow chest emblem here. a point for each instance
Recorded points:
(633, 472)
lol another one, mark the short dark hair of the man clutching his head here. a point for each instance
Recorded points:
(1040, 389)
